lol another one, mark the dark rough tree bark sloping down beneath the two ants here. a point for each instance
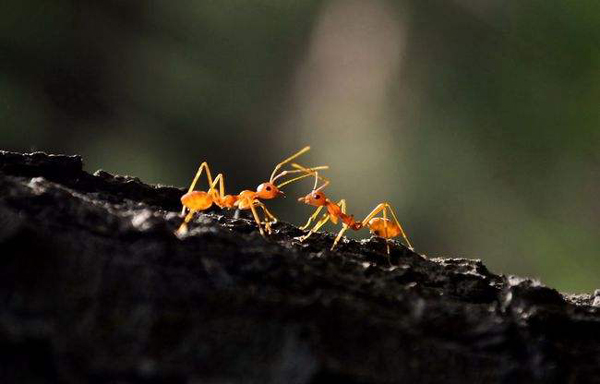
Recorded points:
(95, 287)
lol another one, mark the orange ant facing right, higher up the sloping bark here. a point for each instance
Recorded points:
(197, 201)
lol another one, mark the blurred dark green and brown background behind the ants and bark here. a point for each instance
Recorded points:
(477, 120)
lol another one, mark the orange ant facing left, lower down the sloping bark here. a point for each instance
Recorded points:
(379, 226)
